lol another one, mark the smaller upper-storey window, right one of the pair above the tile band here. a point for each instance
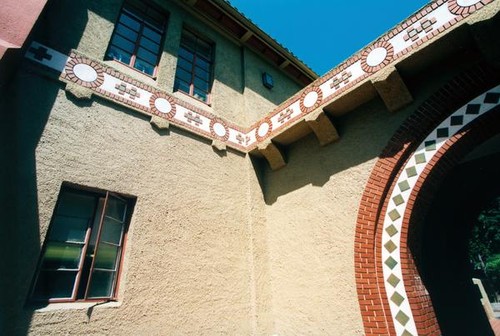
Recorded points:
(194, 66)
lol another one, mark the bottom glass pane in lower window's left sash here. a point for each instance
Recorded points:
(54, 285)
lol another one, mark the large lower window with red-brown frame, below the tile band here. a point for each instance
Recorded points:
(84, 246)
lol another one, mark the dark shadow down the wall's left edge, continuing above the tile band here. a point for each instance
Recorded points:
(25, 105)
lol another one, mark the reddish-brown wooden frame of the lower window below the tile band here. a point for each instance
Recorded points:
(97, 194)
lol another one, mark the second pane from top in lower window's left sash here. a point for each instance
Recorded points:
(69, 229)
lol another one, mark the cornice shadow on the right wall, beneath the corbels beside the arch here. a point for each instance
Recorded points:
(363, 134)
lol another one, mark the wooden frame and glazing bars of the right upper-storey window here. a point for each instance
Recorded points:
(193, 65)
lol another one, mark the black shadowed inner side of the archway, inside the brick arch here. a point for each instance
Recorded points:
(442, 257)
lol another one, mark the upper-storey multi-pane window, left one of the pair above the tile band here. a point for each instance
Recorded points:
(137, 38)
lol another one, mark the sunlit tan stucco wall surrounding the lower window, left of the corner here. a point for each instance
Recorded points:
(188, 261)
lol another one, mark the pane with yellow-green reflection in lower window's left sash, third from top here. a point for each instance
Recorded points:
(61, 255)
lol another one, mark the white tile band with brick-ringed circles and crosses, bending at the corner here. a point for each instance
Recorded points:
(430, 22)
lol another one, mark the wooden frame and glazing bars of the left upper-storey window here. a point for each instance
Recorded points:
(139, 13)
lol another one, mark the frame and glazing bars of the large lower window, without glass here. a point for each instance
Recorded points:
(99, 214)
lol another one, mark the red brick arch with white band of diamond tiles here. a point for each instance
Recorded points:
(395, 303)
